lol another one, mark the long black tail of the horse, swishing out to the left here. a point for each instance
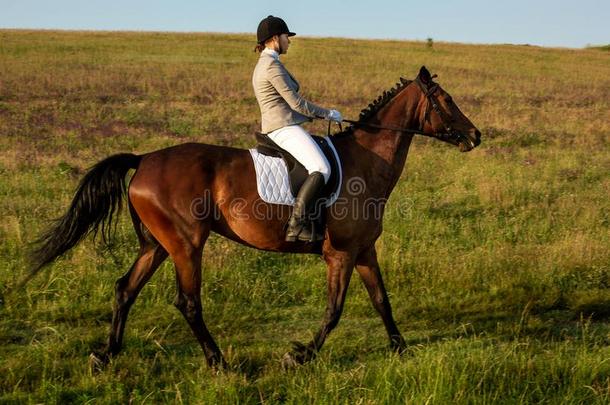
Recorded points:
(97, 198)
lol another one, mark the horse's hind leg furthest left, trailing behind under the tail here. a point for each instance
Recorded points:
(127, 288)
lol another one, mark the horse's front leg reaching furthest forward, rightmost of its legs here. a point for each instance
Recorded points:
(368, 268)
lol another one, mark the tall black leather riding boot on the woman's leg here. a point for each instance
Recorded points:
(300, 226)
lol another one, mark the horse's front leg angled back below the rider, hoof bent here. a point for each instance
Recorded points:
(340, 265)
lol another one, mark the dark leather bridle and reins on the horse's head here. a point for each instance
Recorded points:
(450, 133)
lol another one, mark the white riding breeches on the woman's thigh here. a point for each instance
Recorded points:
(296, 141)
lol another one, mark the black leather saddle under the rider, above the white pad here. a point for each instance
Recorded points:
(296, 171)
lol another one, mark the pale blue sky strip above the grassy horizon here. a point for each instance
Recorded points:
(558, 23)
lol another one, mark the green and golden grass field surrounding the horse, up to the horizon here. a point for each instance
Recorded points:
(497, 261)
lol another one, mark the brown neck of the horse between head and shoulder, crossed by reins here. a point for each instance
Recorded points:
(390, 148)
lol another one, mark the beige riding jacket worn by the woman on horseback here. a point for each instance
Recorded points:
(277, 93)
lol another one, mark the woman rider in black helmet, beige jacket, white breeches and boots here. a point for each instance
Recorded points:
(282, 110)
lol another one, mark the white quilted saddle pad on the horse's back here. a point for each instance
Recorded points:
(272, 179)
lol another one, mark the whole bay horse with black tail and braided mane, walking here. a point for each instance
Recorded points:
(180, 194)
